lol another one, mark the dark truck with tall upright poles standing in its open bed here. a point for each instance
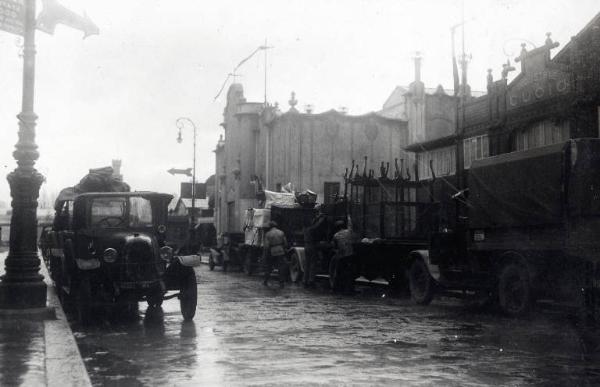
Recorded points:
(387, 222)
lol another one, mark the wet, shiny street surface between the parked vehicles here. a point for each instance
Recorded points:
(246, 334)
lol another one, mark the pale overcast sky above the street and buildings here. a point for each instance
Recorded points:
(118, 94)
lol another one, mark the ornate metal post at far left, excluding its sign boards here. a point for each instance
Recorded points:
(22, 285)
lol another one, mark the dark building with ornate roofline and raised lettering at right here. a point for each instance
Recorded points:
(551, 100)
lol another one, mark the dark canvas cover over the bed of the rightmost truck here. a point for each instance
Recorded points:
(518, 189)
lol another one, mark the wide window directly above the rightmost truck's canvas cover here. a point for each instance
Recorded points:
(540, 134)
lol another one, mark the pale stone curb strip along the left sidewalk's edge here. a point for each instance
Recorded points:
(64, 365)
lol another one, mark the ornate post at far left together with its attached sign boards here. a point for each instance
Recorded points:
(22, 286)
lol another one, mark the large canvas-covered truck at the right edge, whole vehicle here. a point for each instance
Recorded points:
(532, 231)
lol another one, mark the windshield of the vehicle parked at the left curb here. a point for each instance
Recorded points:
(121, 212)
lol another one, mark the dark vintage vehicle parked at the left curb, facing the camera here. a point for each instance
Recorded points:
(108, 249)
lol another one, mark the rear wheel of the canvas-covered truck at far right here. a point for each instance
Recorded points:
(514, 290)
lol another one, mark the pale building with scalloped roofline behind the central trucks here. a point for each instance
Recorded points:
(301, 150)
